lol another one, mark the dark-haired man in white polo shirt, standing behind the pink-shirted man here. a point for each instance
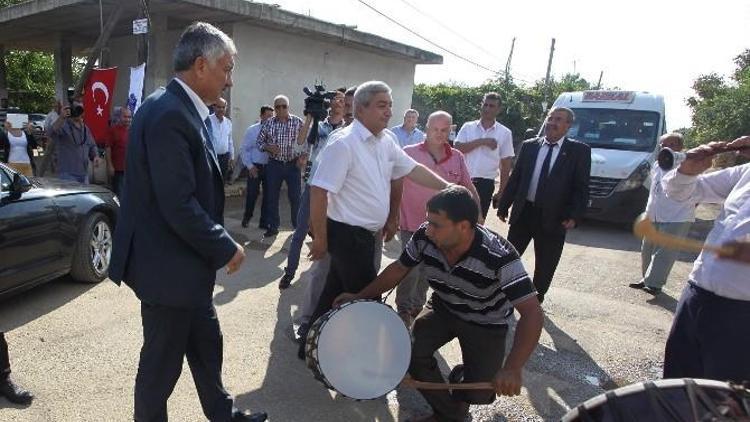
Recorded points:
(487, 146)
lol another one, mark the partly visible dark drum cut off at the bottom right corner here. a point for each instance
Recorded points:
(673, 400)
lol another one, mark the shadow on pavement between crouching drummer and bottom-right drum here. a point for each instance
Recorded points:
(562, 377)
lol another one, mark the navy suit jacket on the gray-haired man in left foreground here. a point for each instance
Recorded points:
(170, 240)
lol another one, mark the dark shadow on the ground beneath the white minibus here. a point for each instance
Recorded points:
(597, 234)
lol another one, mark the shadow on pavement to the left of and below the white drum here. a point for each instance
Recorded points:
(290, 393)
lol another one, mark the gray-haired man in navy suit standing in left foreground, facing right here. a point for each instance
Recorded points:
(170, 239)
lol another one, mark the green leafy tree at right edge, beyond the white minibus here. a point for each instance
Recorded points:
(721, 107)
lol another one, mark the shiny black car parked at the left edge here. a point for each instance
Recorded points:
(49, 228)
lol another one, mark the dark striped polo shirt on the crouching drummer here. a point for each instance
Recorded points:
(481, 287)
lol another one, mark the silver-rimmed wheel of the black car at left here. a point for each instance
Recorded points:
(93, 250)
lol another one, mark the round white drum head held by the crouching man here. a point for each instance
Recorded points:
(364, 350)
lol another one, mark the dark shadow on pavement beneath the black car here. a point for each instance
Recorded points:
(38, 301)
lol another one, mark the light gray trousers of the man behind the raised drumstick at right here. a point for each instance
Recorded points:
(657, 261)
